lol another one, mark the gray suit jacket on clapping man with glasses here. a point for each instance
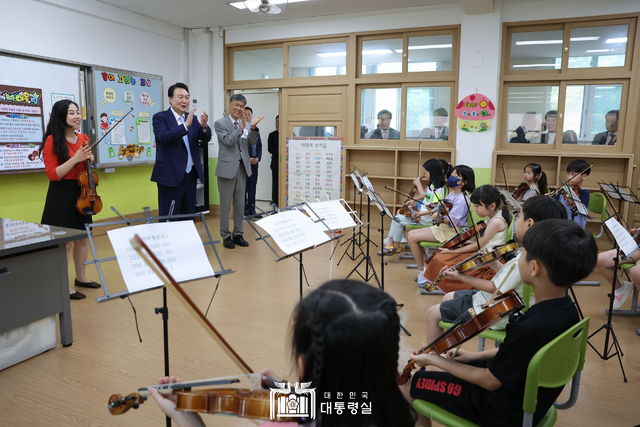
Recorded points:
(232, 148)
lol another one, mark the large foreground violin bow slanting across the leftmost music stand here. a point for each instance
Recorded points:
(170, 282)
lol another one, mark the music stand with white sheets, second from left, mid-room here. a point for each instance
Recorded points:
(287, 225)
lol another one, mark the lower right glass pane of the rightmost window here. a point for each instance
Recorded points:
(591, 114)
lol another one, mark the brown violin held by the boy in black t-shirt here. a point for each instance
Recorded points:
(501, 307)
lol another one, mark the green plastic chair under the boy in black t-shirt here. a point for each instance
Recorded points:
(554, 365)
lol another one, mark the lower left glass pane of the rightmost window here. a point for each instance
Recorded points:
(530, 114)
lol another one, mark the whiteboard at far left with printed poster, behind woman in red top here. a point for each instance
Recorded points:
(28, 89)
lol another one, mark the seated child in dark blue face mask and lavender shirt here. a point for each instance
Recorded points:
(462, 179)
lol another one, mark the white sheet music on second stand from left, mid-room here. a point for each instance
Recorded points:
(293, 231)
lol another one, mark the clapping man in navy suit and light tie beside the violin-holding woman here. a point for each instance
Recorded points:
(177, 153)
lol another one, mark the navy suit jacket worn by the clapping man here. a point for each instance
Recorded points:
(171, 154)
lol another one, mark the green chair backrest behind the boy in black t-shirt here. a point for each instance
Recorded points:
(556, 363)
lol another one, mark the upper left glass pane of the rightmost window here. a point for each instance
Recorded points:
(536, 50)
